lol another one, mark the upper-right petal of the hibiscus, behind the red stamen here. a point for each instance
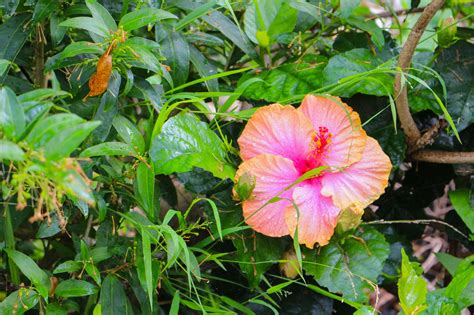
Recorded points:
(347, 136)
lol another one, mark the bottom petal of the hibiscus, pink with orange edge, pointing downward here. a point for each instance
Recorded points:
(316, 215)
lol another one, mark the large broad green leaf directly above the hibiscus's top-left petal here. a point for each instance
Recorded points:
(285, 81)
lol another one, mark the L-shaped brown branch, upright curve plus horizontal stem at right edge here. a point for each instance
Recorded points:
(415, 139)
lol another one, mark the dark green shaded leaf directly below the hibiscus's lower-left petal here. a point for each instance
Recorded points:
(256, 254)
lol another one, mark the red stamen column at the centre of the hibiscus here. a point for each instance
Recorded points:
(319, 147)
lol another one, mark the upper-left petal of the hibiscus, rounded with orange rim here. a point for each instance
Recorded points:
(276, 129)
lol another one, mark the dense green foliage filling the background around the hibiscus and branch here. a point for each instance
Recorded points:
(119, 123)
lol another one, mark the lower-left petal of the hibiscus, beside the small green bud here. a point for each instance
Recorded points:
(273, 174)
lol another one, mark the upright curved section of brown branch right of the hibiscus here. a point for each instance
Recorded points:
(408, 124)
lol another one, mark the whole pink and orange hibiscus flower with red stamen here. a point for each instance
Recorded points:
(281, 143)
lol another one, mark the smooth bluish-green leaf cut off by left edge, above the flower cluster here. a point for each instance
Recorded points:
(12, 116)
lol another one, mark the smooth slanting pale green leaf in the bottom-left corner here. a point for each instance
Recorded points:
(30, 269)
